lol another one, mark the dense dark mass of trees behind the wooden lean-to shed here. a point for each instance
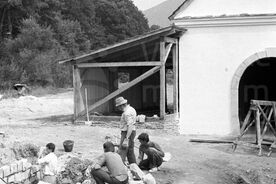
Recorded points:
(35, 34)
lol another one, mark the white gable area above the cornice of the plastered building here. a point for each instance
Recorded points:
(196, 9)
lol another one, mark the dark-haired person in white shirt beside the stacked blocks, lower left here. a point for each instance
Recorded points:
(49, 164)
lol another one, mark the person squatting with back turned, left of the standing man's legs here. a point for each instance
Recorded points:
(117, 171)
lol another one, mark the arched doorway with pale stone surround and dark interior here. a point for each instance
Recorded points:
(254, 79)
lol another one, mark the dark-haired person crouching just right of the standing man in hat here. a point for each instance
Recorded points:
(152, 150)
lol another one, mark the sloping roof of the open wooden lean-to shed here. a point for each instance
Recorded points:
(172, 31)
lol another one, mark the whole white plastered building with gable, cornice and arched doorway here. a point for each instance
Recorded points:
(226, 57)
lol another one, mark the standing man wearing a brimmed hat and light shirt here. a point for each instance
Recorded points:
(128, 130)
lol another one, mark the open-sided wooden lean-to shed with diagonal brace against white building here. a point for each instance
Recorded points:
(142, 57)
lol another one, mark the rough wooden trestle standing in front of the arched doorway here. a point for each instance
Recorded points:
(260, 113)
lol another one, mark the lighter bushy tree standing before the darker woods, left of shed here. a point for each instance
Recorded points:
(35, 51)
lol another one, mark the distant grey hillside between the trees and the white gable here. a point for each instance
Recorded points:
(159, 14)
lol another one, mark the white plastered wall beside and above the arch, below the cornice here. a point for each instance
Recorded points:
(209, 59)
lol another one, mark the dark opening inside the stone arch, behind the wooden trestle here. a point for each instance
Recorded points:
(258, 82)
